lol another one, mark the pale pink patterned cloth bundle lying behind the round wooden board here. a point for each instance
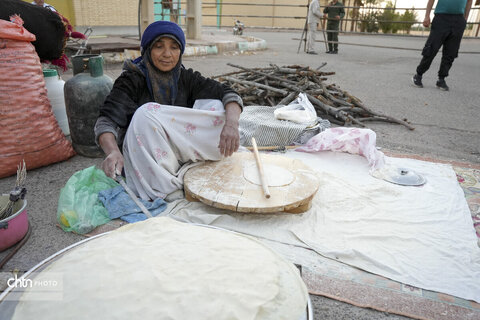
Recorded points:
(351, 140)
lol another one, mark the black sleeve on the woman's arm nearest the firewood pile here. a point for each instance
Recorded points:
(205, 88)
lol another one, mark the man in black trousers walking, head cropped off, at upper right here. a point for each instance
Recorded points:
(447, 30)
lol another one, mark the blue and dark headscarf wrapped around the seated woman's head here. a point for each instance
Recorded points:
(162, 85)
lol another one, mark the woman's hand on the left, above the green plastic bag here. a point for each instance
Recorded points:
(114, 161)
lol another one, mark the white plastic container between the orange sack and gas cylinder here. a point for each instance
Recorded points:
(55, 86)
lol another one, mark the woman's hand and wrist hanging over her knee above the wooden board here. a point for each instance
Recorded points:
(229, 137)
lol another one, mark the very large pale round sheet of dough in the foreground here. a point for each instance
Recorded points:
(164, 269)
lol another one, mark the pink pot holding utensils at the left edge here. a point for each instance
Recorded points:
(13, 228)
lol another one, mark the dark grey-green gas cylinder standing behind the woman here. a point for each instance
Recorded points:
(84, 93)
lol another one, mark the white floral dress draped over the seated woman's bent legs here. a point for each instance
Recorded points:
(163, 142)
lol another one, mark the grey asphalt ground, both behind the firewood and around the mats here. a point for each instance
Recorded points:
(447, 124)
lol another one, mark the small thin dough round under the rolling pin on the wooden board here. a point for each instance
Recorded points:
(276, 176)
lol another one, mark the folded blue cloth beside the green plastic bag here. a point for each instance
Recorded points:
(119, 205)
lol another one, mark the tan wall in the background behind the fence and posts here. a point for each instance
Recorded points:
(120, 16)
